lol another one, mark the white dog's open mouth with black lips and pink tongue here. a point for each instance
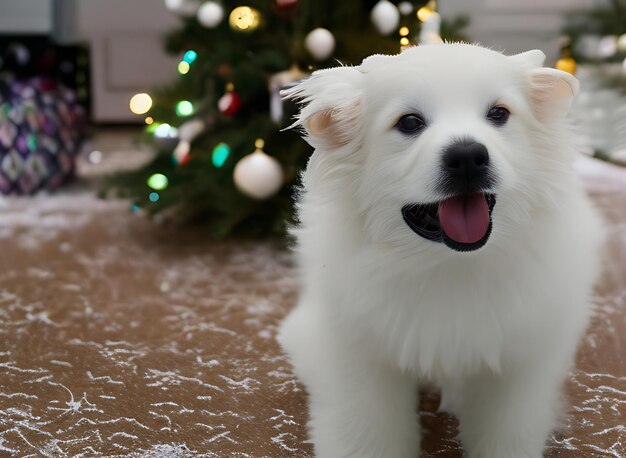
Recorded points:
(462, 222)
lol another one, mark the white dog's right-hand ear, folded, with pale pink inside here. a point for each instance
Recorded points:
(550, 91)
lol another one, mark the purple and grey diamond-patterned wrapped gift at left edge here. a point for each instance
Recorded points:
(41, 128)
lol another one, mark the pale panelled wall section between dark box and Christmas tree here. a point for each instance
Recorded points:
(127, 56)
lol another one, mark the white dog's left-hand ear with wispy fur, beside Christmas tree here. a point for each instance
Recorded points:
(331, 110)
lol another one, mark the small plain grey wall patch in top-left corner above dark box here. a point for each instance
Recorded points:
(25, 16)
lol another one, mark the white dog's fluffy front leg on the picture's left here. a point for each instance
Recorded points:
(358, 407)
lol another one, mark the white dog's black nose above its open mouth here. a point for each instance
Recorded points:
(465, 168)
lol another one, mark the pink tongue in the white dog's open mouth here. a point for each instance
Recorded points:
(465, 219)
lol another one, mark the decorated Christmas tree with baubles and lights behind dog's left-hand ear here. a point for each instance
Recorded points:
(225, 159)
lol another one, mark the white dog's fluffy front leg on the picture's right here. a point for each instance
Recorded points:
(512, 414)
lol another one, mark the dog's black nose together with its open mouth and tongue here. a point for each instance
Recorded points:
(462, 221)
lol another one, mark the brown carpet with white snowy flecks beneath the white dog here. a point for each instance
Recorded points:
(119, 338)
